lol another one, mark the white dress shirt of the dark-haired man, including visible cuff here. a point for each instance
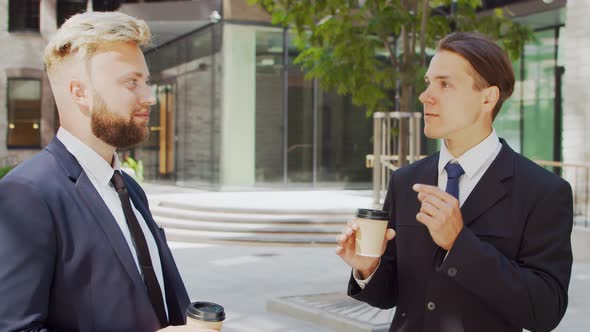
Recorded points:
(475, 162)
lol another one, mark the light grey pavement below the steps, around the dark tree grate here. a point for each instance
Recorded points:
(244, 278)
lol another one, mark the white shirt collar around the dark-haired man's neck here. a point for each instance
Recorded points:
(472, 160)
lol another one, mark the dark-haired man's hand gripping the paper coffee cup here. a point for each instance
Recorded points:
(365, 266)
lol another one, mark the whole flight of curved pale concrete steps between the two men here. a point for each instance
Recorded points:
(259, 217)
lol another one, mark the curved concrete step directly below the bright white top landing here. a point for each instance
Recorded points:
(255, 218)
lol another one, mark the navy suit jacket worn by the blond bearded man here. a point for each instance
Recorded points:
(65, 264)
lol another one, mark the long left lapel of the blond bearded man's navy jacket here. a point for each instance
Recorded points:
(97, 207)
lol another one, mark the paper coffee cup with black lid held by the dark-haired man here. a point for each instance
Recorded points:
(371, 232)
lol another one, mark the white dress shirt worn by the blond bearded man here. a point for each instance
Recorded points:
(100, 173)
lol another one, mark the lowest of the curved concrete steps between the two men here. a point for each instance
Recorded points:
(192, 236)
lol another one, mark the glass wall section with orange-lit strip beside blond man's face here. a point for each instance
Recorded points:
(184, 124)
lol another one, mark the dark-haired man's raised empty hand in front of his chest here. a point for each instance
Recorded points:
(440, 213)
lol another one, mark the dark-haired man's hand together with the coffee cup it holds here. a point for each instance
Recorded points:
(363, 241)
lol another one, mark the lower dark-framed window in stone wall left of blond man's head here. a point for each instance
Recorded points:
(24, 113)
